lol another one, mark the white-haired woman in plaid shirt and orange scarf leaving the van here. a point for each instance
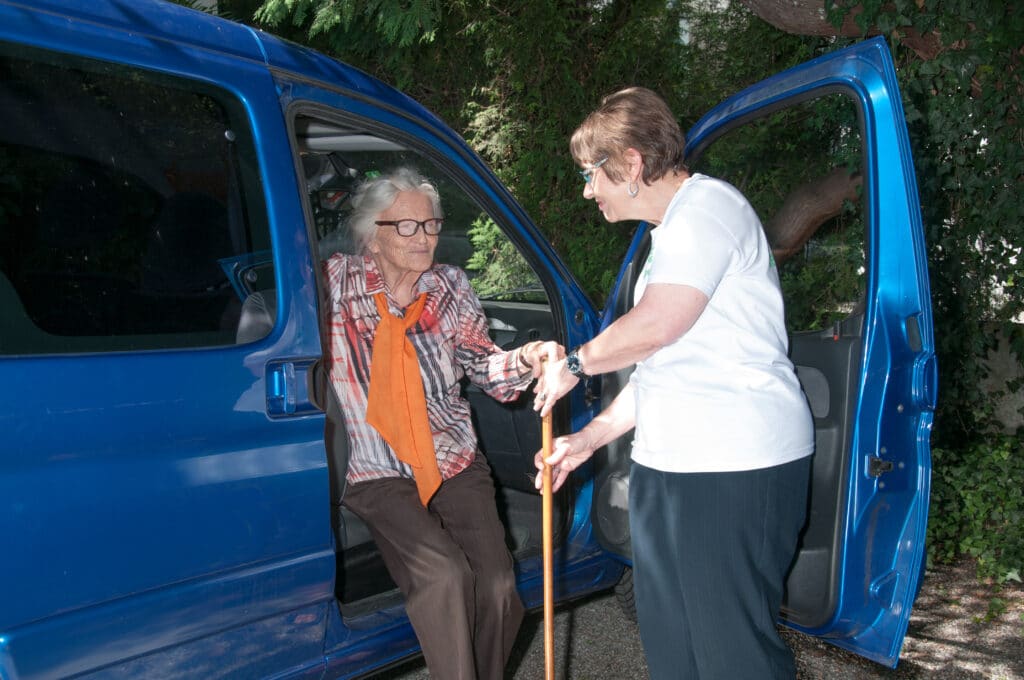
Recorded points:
(404, 332)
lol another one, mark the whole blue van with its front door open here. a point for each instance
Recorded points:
(172, 471)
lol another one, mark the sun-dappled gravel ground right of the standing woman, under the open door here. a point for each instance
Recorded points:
(954, 634)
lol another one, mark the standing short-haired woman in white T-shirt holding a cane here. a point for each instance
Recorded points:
(721, 452)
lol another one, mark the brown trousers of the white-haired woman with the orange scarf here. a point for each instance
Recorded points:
(451, 562)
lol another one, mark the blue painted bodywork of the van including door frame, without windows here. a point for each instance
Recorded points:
(163, 512)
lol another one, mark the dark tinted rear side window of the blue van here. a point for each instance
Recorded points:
(132, 212)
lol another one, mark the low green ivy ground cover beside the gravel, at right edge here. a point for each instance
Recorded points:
(977, 507)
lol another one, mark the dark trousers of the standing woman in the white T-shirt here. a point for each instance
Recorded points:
(711, 552)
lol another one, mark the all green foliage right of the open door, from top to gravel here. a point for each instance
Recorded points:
(963, 110)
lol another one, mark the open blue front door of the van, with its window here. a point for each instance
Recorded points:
(822, 152)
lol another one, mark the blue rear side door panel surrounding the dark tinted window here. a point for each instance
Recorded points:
(151, 514)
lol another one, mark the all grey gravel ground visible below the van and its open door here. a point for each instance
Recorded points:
(954, 635)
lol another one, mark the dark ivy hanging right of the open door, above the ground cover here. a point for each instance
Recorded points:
(963, 109)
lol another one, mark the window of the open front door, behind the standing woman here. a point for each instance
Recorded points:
(801, 169)
